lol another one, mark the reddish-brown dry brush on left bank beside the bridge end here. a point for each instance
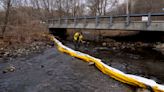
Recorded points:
(24, 34)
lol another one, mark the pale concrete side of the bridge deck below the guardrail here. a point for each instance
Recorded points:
(138, 26)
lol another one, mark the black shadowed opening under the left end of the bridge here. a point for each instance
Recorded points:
(60, 33)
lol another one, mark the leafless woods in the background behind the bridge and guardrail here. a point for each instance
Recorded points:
(29, 14)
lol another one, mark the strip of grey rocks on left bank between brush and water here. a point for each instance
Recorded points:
(23, 49)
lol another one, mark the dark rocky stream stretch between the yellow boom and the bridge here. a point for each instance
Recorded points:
(138, 58)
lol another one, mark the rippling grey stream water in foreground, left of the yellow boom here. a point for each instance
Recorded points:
(52, 71)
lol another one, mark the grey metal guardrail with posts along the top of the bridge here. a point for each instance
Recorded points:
(110, 18)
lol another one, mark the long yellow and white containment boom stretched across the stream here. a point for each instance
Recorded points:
(112, 72)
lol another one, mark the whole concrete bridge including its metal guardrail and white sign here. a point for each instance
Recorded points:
(135, 22)
